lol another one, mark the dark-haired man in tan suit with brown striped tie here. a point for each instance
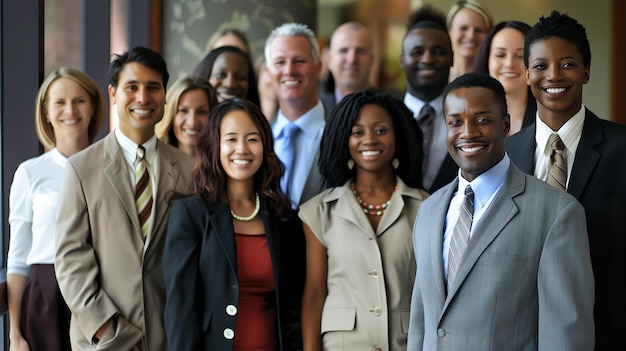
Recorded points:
(108, 260)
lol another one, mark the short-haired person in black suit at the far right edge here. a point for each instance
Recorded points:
(558, 59)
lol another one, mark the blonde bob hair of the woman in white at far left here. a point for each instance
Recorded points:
(45, 132)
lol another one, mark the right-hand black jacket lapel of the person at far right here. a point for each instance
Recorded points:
(586, 155)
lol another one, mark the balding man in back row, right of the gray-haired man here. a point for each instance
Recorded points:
(350, 60)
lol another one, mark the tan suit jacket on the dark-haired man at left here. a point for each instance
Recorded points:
(104, 268)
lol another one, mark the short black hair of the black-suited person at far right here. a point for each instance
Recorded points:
(561, 26)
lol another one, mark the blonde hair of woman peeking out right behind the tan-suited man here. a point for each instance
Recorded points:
(163, 129)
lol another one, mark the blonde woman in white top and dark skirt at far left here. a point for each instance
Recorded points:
(69, 112)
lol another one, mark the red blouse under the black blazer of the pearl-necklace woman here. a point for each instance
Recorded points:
(255, 326)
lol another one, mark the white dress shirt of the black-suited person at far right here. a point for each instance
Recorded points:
(569, 133)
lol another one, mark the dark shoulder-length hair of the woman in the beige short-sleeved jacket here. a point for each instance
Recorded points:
(334, 150)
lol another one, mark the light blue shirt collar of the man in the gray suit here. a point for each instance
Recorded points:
(486, 184)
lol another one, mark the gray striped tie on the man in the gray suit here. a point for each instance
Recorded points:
(460, 234)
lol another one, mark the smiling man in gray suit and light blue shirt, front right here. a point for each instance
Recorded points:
(517, 275)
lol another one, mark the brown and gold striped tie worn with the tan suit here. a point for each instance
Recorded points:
(143, 191)
